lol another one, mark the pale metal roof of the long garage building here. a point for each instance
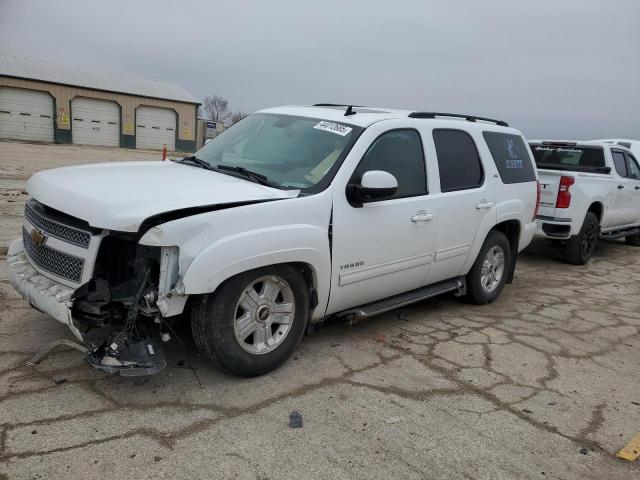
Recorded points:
(27, 68)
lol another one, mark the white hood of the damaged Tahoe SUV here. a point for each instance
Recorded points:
(121, 195)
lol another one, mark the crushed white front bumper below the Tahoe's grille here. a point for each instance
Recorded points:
(41, 292)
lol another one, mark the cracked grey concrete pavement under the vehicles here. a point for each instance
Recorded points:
(544, 383)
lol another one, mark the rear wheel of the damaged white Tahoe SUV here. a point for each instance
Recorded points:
(489, 273)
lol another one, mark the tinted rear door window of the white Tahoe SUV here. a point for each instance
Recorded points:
(458, 160)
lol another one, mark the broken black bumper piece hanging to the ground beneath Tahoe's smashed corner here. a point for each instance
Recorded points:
(121, 353)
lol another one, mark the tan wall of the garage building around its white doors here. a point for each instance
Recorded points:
(62, 96)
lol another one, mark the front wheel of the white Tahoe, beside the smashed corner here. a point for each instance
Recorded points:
(254, 321)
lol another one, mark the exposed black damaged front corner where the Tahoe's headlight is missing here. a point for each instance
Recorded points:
(121, 311)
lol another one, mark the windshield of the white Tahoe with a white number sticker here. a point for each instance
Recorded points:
(292, 152)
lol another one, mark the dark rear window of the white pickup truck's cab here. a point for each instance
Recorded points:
(575, 158)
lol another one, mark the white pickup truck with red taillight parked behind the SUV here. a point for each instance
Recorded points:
(589, 190)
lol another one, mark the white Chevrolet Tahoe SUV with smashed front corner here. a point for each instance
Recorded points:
(292, 215)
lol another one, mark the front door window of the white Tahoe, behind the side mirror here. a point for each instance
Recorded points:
(400, 153)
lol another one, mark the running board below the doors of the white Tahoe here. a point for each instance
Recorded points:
(457, 284)
